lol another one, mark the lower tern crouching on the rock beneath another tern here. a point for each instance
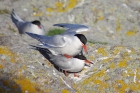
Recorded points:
(74, 64)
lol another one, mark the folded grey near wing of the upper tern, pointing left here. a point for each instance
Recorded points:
(50, 41)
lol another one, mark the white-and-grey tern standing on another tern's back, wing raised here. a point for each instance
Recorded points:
(69, 43)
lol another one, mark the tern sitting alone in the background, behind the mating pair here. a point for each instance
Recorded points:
(25, 26)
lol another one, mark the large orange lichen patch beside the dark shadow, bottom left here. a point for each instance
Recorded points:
(26, 85)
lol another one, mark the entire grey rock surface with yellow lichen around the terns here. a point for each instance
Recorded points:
(113, 24)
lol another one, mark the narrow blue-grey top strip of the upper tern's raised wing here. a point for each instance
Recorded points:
(69, 26)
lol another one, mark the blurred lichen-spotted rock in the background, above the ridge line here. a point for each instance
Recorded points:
(114, 22)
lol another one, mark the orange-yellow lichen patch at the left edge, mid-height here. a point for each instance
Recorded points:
(6, 51)
